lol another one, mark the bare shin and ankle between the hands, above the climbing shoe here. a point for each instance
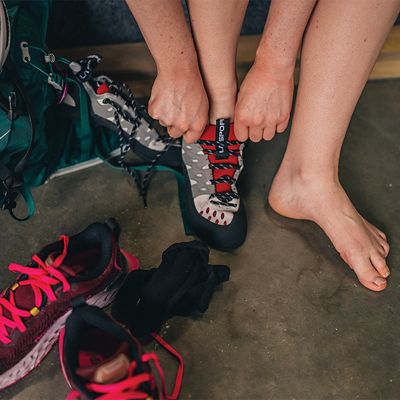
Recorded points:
(216, 29)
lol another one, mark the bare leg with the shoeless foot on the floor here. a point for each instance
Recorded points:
(340, 47)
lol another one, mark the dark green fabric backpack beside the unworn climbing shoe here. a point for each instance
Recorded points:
(40, 138)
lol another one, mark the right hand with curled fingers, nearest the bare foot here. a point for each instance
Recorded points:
(264, 104)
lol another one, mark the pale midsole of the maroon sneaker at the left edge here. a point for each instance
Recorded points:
(48, 340)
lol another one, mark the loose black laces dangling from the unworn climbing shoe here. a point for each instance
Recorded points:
(126, 140)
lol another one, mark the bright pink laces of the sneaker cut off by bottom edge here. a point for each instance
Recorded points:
(132, 387)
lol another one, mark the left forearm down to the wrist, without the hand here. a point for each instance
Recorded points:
(166, 33)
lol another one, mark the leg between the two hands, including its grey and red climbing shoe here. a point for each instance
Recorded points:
(213, 206)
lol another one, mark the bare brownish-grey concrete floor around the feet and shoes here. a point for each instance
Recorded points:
(293, 322)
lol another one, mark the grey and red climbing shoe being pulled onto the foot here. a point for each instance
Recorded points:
(212, 205)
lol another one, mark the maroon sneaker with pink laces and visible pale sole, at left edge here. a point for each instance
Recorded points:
(88, 266)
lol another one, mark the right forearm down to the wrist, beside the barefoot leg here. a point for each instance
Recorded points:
(283, 32)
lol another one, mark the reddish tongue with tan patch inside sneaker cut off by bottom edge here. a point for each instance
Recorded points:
(110, 370)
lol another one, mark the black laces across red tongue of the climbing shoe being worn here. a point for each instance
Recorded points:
(209, 147)
